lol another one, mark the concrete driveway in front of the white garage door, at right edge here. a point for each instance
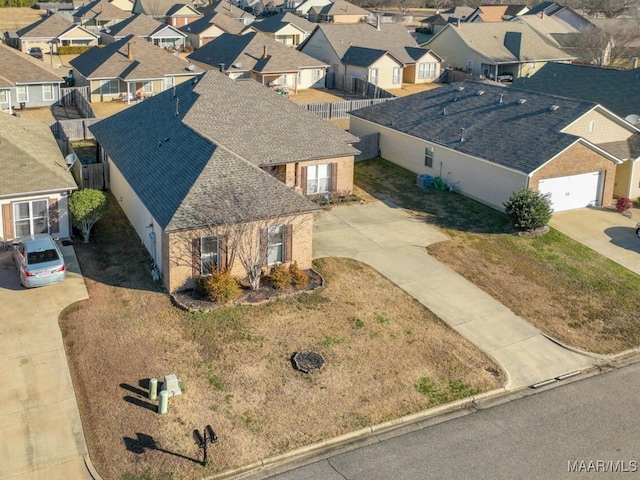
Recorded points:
(604, 230)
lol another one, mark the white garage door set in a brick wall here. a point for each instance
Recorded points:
(573, 191)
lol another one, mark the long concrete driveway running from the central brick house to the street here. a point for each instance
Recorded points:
(391, 241)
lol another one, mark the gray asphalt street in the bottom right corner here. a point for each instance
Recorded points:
(588, 428)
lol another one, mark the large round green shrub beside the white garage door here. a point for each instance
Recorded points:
(528, 210)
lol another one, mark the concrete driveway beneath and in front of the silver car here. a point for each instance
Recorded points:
(42, 436)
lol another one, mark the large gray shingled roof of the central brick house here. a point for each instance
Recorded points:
(183, 165)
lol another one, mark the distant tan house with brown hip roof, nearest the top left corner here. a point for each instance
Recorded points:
(54, 31)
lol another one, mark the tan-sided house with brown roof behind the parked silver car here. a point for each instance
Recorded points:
(35, 183)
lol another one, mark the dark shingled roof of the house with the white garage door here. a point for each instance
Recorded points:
(519, 136)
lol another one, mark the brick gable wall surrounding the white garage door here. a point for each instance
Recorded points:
(579, 159)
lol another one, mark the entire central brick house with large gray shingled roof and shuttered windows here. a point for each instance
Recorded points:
(211, 158)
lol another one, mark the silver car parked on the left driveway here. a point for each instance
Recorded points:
(39, 260)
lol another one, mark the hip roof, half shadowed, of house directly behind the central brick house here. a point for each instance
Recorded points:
(246, 52)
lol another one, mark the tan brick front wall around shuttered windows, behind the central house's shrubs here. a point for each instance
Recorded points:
(177, 251)
